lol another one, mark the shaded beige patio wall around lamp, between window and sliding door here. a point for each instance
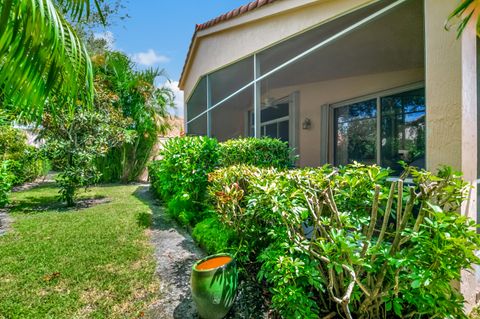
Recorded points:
(313, 96)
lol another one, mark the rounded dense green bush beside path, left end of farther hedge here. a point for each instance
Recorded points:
(181, 177)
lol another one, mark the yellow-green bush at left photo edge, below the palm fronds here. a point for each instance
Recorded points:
(25, 162)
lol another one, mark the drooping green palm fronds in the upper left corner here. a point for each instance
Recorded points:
(41, 57)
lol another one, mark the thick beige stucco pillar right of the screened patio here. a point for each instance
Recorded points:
(451, 94)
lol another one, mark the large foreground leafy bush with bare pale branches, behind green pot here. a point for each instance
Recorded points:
(348, 241)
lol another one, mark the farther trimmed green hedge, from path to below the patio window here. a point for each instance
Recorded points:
(180, 178)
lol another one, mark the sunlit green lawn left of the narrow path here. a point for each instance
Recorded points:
(95, 262)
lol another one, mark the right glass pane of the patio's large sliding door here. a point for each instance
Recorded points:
(403, 129)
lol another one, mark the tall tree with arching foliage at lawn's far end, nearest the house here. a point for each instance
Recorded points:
(142, 102)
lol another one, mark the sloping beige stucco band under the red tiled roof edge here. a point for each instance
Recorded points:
(212, 51)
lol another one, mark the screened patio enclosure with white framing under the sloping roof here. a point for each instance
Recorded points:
(349, 89)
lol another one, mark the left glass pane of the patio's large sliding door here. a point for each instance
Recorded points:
(355, 133)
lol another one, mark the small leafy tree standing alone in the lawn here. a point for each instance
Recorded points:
(75, 142)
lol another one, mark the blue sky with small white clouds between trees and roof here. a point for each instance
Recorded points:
(158, 32)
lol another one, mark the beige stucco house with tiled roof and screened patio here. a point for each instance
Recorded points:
(341, 80)
